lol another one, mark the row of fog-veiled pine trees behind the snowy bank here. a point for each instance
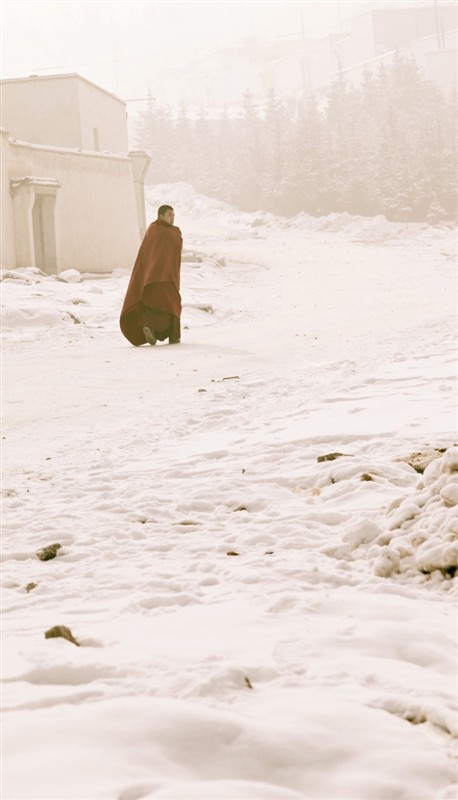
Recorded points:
(387, 146)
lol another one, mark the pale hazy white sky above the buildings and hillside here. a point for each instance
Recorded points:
(120, 44)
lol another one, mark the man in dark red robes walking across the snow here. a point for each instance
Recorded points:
(152, 306)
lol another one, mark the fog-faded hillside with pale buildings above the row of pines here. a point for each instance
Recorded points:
(301, 66)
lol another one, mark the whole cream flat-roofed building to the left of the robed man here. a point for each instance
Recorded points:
(72, 194)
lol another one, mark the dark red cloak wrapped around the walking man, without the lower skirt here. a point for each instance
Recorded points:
(155, 279)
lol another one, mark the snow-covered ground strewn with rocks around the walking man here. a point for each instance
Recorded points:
(254, 620)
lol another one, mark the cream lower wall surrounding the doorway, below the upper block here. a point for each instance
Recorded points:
(97, 226)
